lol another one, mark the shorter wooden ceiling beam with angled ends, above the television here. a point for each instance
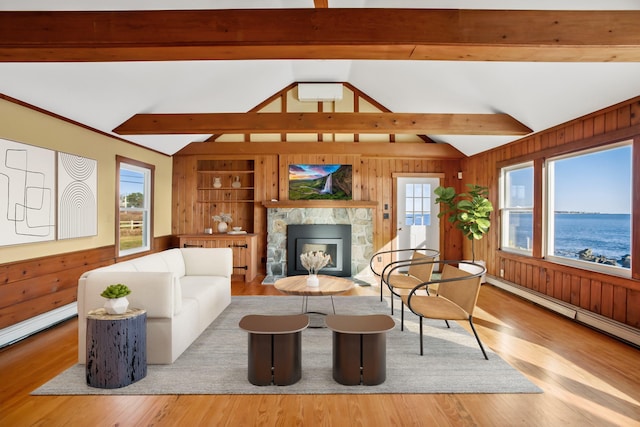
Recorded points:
(391, 123)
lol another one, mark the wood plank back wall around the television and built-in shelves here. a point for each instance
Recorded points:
(372, 181)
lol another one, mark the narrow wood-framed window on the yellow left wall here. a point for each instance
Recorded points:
(133, 232)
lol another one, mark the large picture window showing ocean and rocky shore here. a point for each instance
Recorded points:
(589, 209)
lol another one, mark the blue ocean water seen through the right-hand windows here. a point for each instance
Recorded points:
(605, 234)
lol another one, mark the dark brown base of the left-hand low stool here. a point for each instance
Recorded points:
(275, 358)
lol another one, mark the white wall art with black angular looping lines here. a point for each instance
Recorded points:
(27, 193)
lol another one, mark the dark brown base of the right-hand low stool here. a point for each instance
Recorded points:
(359, 358)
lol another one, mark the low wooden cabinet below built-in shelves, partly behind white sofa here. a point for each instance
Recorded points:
(244, 247)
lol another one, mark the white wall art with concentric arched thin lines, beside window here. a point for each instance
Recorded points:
(77, 196)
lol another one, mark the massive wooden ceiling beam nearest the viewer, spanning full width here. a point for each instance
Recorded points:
(321, 33)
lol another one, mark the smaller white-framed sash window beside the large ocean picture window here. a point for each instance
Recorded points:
(516, 208)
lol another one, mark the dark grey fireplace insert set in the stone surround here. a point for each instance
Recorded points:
(333, 239)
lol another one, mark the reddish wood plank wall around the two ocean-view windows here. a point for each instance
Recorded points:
(610, 296)
